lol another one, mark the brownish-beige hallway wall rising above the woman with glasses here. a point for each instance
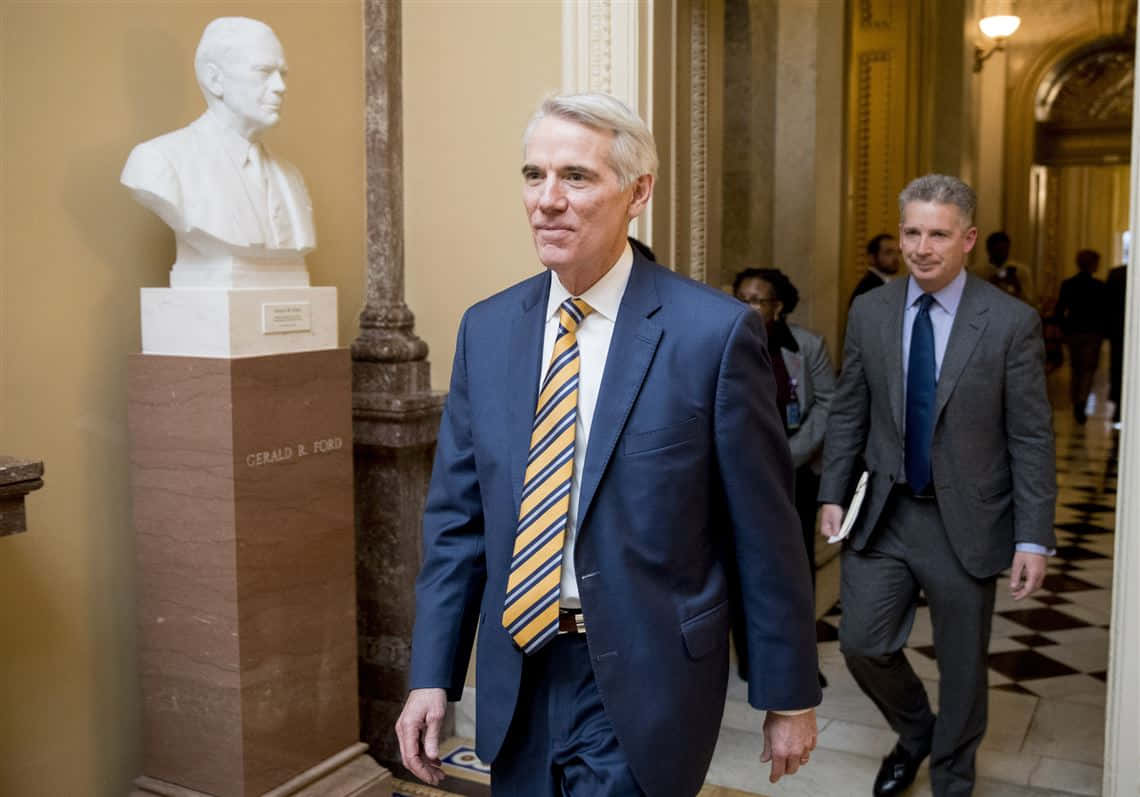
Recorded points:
(784, 117)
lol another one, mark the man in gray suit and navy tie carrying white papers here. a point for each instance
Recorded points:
(943, 397)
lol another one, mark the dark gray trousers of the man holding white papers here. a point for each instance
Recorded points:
(880, 593)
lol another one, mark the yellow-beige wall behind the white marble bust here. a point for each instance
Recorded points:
(82, 84)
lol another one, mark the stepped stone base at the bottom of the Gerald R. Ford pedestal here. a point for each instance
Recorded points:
(349, 774)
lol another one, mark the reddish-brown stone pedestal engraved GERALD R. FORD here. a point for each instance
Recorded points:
(242, 479)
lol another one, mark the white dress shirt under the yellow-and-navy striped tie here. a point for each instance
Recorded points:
(595, 336)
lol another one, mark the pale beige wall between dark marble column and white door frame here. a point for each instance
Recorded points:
(474, 74)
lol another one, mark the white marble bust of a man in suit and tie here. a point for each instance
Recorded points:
(234, 207)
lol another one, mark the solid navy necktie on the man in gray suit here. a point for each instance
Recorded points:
(921, 389)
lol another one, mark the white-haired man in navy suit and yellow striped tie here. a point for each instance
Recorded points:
(610, 460)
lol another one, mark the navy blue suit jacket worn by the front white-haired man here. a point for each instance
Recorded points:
(687, 476)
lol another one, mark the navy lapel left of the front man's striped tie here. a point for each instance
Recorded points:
(527, 332)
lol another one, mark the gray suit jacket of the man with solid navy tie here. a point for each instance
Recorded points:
(994, 445)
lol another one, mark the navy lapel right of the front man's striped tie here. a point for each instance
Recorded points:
(632, 348)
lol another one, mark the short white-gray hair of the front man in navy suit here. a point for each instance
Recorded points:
(634, 151)
